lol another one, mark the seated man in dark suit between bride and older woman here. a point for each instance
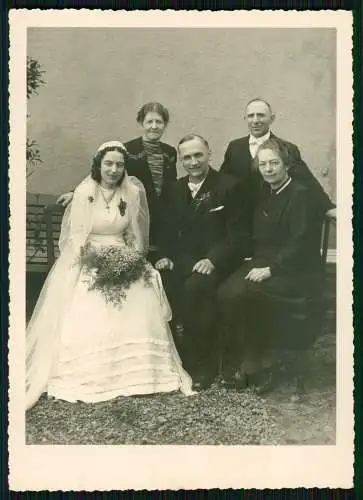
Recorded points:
(203, 242)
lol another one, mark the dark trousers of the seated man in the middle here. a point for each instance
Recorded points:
(193, 301)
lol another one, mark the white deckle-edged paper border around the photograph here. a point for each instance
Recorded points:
(179, 467)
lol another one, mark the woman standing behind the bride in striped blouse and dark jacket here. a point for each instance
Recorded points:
(153, 162)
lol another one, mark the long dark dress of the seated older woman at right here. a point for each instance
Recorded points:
(274, 312)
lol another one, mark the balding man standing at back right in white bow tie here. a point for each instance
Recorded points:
(238, 160)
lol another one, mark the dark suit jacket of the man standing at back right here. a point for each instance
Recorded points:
(239, 163)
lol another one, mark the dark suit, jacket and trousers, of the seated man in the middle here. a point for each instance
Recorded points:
(210, 226)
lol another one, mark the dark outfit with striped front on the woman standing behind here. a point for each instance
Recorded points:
(154, 164)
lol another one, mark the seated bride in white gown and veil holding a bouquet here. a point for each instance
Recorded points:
(100, 327)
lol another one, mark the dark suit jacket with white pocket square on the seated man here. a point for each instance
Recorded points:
(193, 230)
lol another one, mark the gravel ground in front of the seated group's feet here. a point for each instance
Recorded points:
(212, 417)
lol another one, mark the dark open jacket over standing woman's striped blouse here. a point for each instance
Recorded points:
(137, 165)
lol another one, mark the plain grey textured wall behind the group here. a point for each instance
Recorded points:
(96, 79)
